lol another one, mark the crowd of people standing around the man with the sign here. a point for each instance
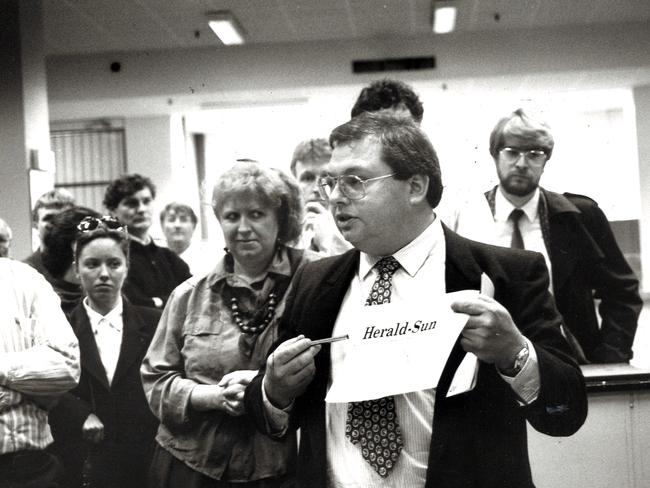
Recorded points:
(127, 363)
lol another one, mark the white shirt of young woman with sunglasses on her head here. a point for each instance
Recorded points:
(108, 335)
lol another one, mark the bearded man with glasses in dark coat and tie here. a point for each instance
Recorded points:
(575, 237)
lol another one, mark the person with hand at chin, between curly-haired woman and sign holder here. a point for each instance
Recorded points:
(319, 232)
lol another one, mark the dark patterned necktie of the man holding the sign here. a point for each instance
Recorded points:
(373, 423)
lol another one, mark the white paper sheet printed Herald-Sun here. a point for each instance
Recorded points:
(393, 350)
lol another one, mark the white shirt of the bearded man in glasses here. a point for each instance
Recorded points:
(530, 226)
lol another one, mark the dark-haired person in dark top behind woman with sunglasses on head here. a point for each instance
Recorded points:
(154, 271)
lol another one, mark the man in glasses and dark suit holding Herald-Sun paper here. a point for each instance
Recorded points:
(383, 182)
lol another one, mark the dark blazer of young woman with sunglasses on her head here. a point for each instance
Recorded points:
(123, 457)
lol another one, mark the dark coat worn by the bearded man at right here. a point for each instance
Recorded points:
(586, 264)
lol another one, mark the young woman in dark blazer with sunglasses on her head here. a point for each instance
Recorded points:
(107, 430)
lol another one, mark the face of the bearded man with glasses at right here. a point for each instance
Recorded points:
(519, 178)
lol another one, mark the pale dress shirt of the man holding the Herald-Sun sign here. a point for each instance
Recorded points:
(420, 276)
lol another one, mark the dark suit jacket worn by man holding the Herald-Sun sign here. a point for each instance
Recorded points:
(479, 438)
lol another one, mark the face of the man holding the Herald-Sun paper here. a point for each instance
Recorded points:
(373, 223)
